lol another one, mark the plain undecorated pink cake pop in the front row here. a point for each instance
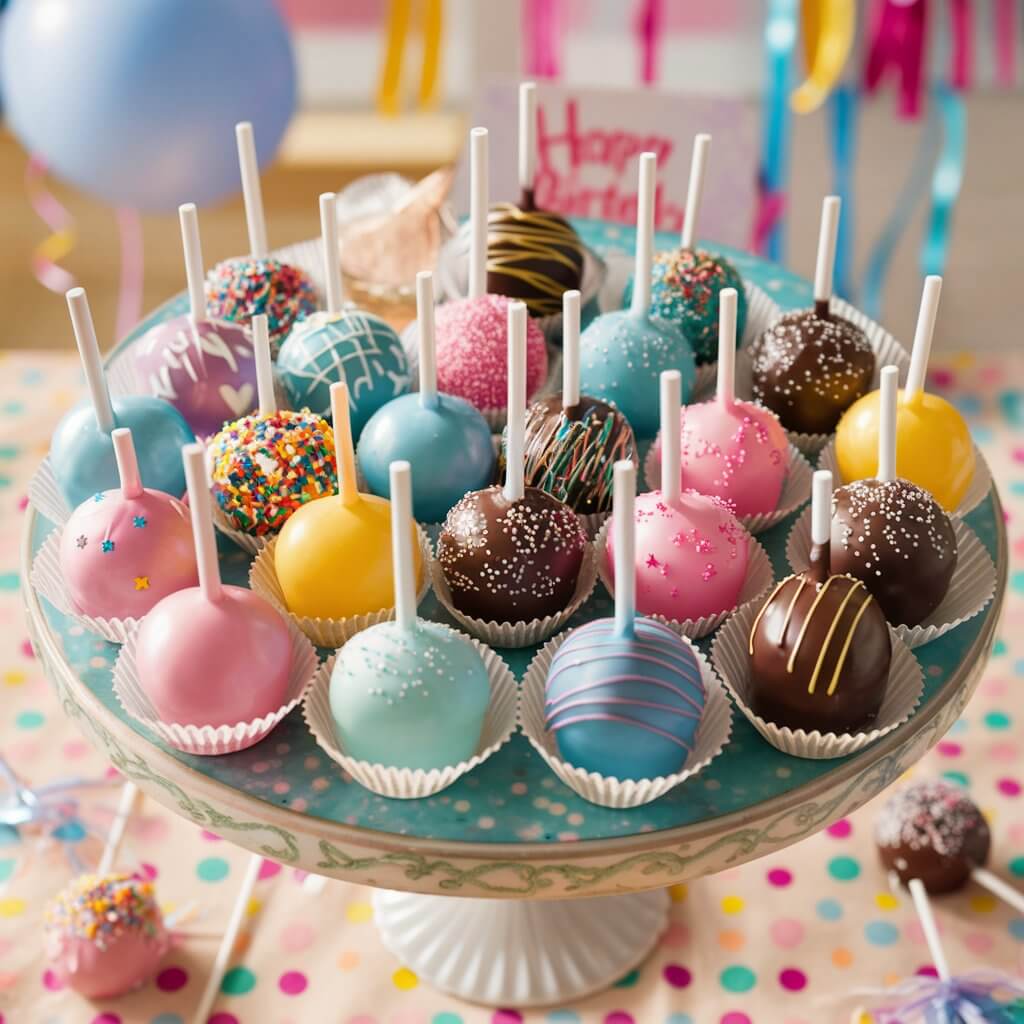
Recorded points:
(212, 655)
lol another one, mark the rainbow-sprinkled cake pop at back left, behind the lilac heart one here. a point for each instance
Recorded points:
(236, 289)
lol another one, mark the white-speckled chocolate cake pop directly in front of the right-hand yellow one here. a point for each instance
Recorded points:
(892, 535)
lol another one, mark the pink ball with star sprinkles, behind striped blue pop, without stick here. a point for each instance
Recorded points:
(692, 560)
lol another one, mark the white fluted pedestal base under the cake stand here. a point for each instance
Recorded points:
(520, 954)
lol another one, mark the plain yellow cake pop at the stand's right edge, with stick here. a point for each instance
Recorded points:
(933, 445)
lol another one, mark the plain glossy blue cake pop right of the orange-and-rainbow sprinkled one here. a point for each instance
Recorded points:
(446, 438)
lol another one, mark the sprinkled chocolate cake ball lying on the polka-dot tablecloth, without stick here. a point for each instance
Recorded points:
(934, 832)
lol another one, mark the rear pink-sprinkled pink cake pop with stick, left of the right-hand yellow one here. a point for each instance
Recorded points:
(732, 450)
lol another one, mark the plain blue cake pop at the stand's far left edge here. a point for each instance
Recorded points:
(82, 450)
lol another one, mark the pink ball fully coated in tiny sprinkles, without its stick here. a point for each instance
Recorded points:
(473, 352)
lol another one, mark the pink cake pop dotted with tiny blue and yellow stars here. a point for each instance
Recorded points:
(123, 551)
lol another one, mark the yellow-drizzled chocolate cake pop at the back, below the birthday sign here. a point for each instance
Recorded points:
(533, 254)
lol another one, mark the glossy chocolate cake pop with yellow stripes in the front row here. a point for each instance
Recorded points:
(820, 647)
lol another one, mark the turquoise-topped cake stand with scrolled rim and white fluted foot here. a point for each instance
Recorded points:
(498, 889)
